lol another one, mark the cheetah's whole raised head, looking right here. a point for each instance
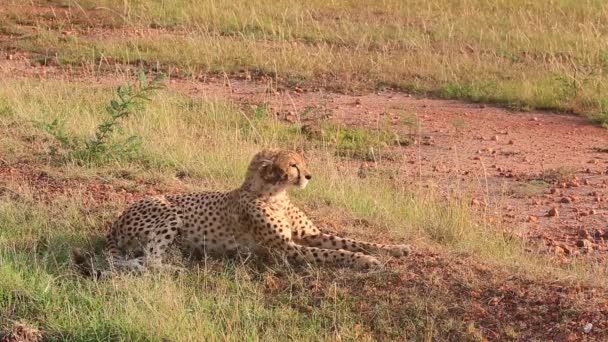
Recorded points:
(279, 169)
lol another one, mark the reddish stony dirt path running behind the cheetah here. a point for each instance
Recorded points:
(545, 175)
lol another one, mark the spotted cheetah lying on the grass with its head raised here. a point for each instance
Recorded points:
(257, 218)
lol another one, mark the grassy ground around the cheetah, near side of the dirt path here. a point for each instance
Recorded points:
(55, 202)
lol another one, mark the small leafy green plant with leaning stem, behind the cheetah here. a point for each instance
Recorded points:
(102, 146)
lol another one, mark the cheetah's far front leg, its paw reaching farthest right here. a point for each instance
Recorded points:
(307, 234)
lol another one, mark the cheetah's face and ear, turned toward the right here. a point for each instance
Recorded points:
(284, 168)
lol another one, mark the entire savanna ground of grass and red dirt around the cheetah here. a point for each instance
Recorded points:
(505, 205)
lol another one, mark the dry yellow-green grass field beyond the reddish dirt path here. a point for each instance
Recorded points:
(524, 53)
